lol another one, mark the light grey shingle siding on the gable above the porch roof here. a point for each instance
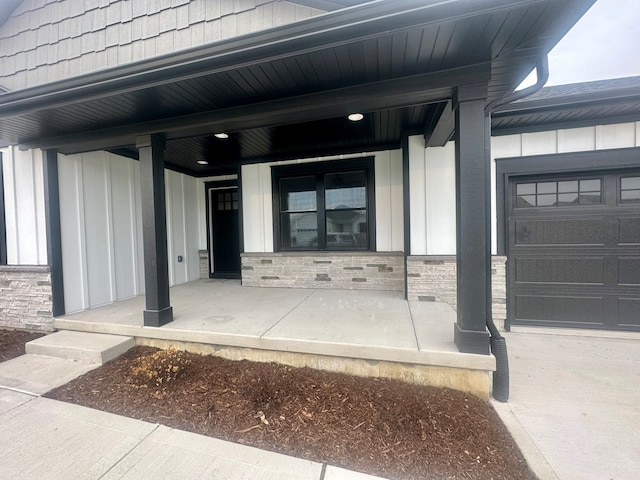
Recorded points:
(47, 40)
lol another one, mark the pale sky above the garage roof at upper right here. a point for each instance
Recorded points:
(604, 44)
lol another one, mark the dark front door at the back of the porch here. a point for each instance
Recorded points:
(224, 242)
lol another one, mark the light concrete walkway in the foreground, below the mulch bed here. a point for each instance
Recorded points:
(43, 438)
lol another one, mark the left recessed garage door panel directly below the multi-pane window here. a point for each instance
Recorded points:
(560, 231)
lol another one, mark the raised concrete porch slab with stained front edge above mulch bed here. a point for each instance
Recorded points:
(368, 333)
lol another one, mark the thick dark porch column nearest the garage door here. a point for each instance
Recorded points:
(472, 219)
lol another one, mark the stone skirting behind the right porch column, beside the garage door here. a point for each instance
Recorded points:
(433, 279)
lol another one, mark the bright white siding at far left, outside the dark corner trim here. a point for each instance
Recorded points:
(24, 206)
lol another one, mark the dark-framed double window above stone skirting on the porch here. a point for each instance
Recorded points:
(324, 206)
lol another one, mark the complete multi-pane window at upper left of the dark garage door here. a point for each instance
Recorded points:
(559, 193)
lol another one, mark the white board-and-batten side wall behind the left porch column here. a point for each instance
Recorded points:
(101, 223)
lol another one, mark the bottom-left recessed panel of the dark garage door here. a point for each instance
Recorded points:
(551, 308)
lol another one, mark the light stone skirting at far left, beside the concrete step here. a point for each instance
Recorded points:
(25, 297)
